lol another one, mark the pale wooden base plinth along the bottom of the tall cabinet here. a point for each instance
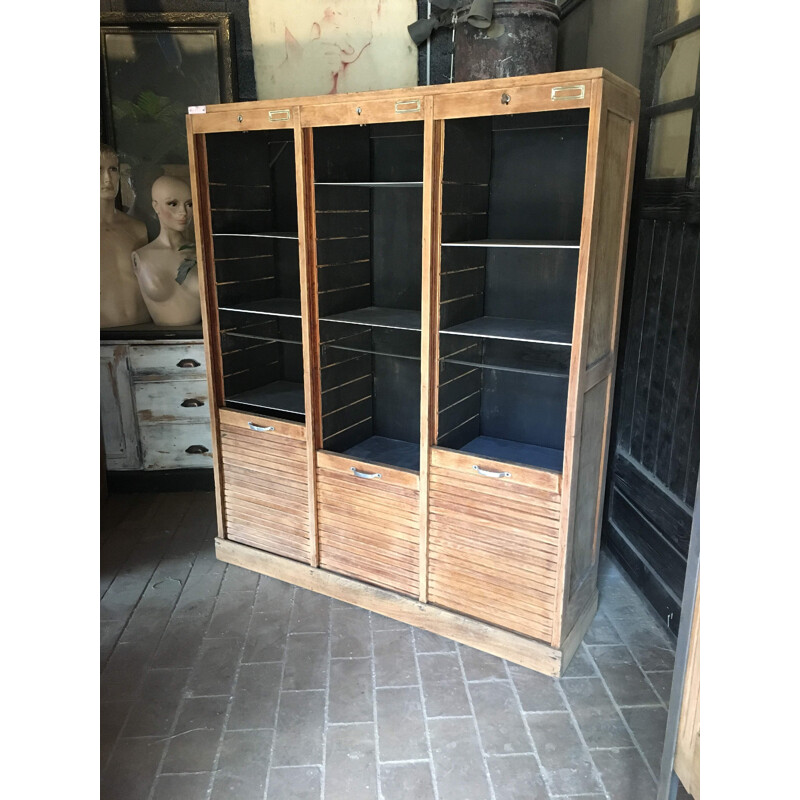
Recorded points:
(527, 652)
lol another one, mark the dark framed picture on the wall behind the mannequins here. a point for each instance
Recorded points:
(153, 67)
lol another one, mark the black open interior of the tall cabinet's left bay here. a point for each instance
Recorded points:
(253, 197)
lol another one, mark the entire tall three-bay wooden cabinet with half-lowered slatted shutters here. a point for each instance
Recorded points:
(411, 301)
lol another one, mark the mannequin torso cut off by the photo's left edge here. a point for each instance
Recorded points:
(121, 301)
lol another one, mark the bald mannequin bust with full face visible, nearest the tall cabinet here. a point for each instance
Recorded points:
(156, 264)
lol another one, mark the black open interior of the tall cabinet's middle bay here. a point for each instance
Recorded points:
(368, 210)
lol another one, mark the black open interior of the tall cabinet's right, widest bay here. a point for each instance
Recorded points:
(512, 202)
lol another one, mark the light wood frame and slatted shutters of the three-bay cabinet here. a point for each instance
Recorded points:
(517, 553)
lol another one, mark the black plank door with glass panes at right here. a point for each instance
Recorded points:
(655, 433)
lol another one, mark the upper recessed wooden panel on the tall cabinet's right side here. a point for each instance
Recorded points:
(610, 238)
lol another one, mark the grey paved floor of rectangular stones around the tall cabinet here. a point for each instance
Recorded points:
(220, 683)
